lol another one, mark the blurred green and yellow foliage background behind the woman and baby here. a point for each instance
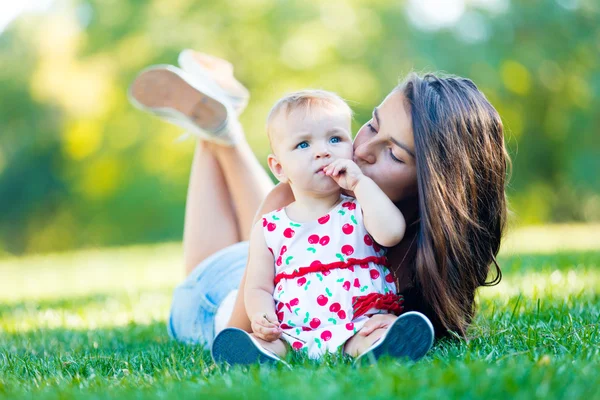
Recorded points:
(81, 168)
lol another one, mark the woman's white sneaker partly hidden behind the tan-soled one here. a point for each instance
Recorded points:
(199, 64)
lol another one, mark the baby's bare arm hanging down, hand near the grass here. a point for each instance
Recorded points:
(258, 291)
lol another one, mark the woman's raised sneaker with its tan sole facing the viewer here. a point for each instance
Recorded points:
(185, 100)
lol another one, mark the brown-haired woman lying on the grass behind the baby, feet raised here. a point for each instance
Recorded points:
(435, 146)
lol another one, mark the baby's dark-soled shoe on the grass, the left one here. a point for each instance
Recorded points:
(236, 347)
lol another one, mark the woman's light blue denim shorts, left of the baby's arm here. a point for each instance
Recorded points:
(195, 301)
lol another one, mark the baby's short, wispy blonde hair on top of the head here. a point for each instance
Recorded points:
(306, 100)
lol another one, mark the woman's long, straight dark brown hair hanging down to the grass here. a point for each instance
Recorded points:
(462, 168)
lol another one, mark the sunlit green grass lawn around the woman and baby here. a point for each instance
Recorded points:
(91, 324)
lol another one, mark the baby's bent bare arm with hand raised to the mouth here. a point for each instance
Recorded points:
(383, 220)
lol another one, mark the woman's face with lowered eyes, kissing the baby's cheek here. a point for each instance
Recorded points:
(384, 149)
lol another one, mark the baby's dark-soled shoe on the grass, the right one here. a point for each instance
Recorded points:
(410, 336)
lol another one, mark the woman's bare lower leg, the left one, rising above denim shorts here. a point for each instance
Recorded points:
(210, 221)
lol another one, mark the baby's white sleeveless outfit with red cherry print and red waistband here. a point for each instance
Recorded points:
(329, 277)
